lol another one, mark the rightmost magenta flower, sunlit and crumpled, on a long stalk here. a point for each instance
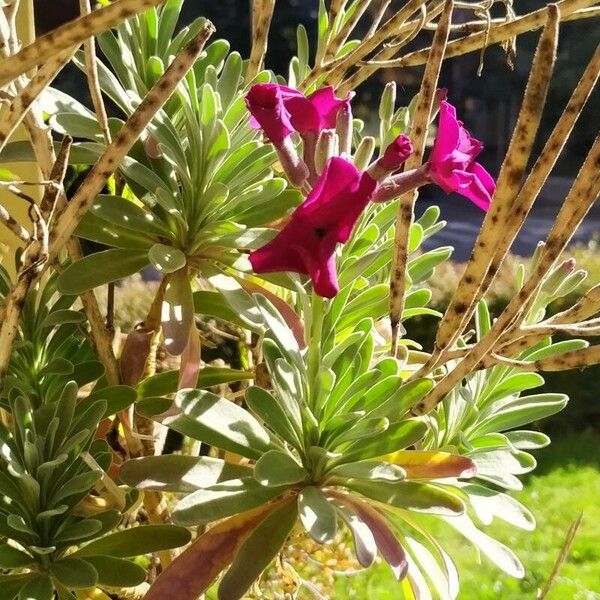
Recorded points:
(452, 163)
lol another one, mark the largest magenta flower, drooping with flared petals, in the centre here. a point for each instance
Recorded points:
(307, 243)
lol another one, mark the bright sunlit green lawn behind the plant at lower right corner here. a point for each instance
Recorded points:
(566, 483)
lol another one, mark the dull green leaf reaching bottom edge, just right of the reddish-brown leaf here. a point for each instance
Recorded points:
(257, 552)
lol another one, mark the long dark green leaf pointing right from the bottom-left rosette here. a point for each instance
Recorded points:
(136, 541)
